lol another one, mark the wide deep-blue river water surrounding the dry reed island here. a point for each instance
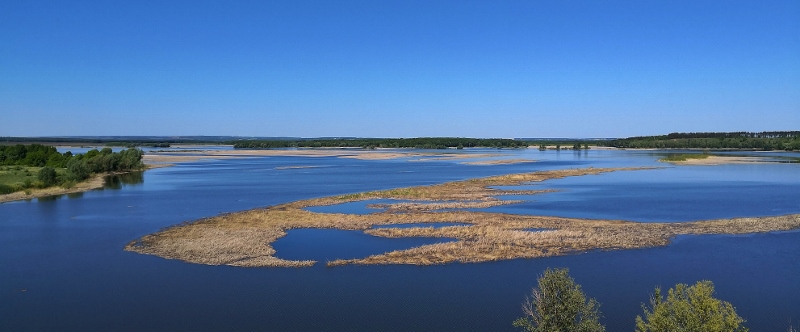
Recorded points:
(62, 267)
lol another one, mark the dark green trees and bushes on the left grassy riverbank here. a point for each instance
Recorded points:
(78, 167)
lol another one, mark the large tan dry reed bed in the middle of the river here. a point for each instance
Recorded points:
(244, 238)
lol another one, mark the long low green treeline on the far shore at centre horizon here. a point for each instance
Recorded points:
(417, 143)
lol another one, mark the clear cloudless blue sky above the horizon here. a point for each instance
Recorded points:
(406, 68)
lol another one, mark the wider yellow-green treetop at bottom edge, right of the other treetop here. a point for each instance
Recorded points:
(689, 309)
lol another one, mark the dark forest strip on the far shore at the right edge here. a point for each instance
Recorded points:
(765, 141)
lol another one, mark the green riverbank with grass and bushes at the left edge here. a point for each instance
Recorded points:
(36, 166)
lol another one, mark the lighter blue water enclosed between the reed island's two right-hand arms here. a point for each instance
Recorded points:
(668, 195)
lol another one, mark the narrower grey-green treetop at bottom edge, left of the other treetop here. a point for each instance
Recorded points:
(559, 305)
